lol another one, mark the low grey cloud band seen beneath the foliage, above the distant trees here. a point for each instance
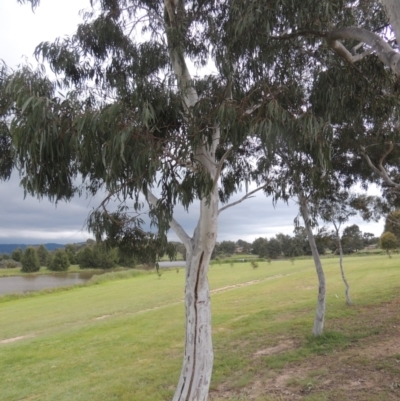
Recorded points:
(31, 221)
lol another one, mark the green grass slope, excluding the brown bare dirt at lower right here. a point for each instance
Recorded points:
(123, 340)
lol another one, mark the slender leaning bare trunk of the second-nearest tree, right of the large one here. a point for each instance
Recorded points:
(318, 327)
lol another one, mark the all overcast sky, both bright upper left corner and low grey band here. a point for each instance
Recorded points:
(31, 221)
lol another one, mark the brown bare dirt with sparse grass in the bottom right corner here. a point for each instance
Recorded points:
(367, 370)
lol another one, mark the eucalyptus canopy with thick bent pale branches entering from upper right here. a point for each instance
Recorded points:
(352, 72)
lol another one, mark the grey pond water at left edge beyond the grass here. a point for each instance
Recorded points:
(31, 282)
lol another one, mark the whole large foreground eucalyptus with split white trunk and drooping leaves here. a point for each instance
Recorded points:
(132, 120)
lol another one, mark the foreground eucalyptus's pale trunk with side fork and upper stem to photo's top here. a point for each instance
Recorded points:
(194, 381)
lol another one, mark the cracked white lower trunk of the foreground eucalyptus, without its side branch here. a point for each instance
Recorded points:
(197, 366)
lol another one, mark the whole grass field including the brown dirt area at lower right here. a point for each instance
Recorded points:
(123, 339)
